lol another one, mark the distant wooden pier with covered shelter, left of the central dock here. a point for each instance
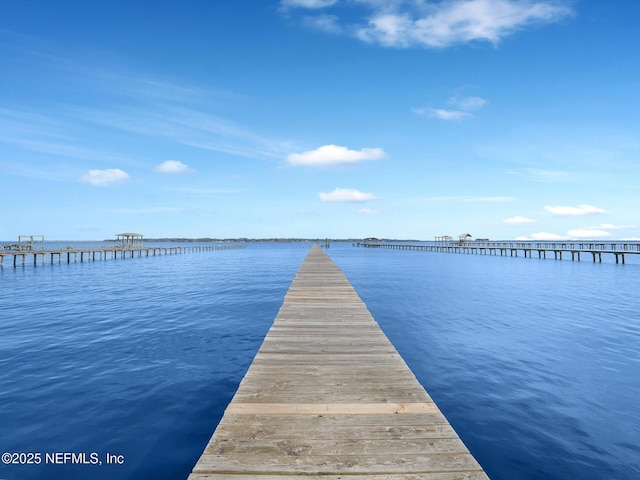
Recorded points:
(70, 255)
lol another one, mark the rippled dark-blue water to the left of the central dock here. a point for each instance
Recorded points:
(134, 357)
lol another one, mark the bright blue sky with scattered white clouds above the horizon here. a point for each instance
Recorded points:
(320, 118)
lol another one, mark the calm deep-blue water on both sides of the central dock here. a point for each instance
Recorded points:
(536, 363)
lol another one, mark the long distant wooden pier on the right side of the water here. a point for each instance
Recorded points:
(575, 249)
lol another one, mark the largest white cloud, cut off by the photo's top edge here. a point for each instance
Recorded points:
(455, 22)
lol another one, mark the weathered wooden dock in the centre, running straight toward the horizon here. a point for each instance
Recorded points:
(329, 396)
